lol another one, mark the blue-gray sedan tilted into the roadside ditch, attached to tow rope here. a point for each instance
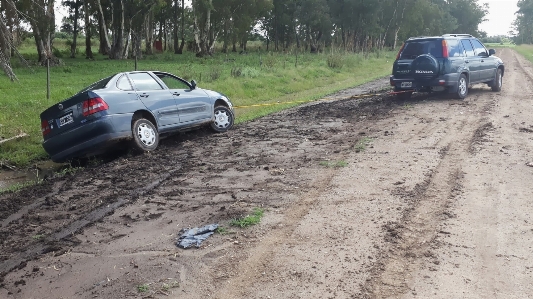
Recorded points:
(137, 106)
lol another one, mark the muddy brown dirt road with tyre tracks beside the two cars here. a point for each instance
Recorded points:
(372, 198)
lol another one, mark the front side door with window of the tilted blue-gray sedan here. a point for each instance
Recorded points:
(194, 105)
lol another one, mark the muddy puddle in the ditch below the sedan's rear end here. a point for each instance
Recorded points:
(39, 171)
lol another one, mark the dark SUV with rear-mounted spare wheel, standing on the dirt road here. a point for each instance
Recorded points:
(448, 63)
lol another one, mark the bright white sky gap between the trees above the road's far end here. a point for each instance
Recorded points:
(500, 18)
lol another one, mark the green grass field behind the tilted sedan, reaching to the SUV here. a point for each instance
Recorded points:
(257, 77)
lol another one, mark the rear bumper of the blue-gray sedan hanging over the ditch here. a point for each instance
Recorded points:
(90, 138)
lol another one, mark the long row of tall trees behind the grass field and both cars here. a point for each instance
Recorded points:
(127, 28)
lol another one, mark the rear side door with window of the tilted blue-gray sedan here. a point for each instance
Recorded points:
(156, 98)
